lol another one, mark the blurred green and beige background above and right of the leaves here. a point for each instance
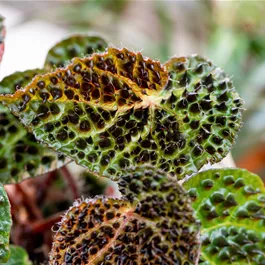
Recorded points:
(230, 33)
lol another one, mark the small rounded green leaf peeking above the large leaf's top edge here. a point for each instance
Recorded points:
(74, 46)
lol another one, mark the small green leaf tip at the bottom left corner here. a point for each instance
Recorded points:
(18, 256)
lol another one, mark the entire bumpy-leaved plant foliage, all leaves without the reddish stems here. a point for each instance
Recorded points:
(145, 125)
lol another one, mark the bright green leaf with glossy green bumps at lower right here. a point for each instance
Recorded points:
(230, 203)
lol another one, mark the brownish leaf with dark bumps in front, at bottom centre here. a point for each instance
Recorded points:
(152, 223)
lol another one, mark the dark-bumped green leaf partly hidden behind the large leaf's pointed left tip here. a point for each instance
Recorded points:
(20, 154)
